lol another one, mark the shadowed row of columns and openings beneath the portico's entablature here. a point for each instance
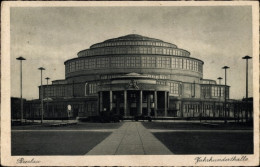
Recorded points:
(131, 103)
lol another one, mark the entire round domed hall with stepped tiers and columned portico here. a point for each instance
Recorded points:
(131, 76)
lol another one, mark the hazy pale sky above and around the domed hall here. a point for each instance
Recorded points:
(48, 36)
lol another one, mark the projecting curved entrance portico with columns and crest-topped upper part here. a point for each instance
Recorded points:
(133, 95)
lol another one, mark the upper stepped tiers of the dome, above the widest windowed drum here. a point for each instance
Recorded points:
(133, 44)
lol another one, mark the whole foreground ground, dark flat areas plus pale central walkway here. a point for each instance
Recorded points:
(132, 138)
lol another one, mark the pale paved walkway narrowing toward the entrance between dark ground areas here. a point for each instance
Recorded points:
(131, 139)
